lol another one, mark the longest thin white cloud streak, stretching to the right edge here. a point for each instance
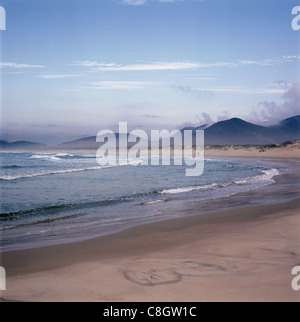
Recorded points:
(183, 65)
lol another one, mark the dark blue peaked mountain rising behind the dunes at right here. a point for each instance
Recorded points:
(239, 132)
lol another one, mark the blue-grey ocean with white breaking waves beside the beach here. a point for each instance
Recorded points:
(53, 198)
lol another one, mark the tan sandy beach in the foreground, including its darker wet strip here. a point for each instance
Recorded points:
(242, 254)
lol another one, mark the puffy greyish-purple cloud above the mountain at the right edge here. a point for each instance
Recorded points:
(270, 111)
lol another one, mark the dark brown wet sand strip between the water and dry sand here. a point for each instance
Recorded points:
(20, 262)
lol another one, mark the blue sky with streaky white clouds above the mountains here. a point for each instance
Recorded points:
(70, 68)
